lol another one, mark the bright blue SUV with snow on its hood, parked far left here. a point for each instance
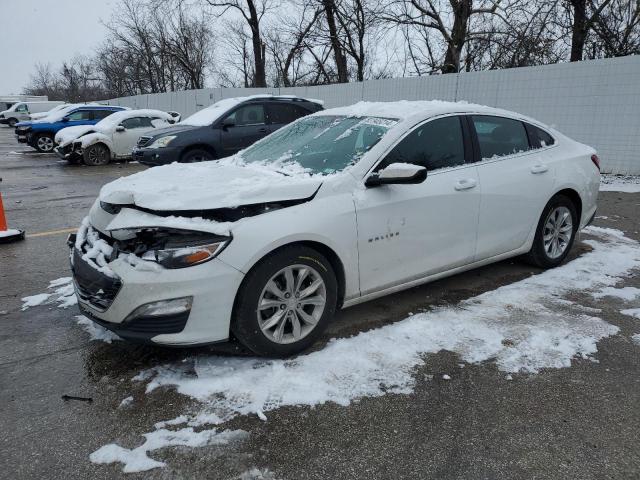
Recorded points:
(40, 134)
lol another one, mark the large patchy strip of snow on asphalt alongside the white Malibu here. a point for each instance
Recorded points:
(523, 327)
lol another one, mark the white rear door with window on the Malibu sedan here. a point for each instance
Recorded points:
(516, 180)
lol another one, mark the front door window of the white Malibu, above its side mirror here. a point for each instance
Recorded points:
(434, 145)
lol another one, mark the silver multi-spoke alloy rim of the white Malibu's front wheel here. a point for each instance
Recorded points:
(291, 304)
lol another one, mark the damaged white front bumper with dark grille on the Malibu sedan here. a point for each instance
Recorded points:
(182, 307)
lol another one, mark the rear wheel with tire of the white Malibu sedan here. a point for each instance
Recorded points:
(550, 245)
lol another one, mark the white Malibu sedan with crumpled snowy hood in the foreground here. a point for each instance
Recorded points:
(337, 208)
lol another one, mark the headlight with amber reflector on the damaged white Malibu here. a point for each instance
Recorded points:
(186, 250)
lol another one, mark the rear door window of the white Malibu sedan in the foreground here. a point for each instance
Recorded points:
(499, 136)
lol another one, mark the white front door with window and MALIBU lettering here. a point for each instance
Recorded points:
(406, 232)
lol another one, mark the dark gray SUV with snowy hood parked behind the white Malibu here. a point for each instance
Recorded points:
(222, 129)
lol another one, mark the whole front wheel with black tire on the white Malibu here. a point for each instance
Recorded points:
(271, 331)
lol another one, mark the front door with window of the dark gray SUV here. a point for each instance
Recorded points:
(249, 126)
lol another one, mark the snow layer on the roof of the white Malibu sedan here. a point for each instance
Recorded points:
(411, 109)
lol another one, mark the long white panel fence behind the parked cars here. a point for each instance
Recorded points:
(596, 102)
